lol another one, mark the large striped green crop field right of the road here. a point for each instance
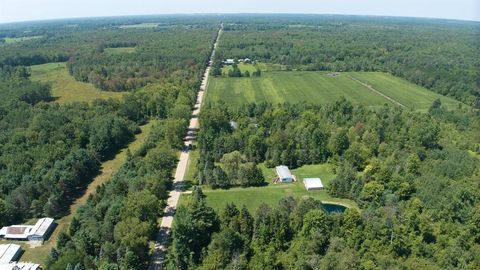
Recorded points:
(368, 88)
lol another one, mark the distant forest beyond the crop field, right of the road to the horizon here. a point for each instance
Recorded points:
(441, 56)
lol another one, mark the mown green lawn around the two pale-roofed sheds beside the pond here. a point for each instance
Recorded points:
(271, 194)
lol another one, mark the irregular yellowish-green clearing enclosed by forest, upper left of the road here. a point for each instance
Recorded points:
(65, 88)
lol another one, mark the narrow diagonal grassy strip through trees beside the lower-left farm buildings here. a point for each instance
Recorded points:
(108, 169)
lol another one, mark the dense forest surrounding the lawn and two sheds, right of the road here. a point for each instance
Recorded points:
(418, 191)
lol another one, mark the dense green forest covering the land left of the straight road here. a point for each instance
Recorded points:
(49, 152)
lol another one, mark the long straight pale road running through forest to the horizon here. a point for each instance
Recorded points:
(163, 235)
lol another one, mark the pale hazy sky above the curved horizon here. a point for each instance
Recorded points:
(27, 10)
